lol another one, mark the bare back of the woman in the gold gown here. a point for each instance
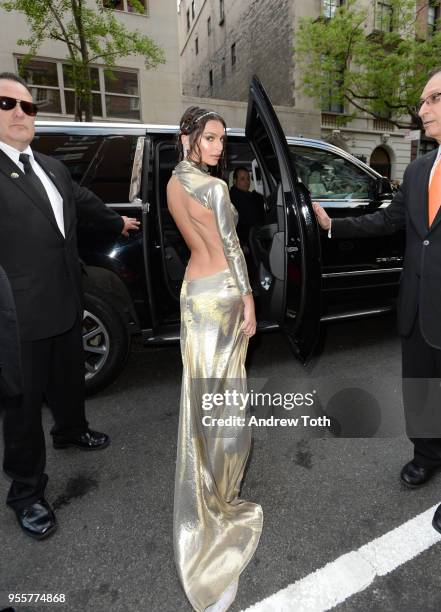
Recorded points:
(198, 227)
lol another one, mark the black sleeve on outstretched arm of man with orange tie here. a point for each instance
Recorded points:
(380, 223)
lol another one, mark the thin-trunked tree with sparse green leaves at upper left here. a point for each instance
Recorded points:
(91, 35)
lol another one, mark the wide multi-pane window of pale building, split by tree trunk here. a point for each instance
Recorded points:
(115, 93)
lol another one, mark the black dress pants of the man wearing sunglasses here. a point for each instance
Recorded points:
(53, 369)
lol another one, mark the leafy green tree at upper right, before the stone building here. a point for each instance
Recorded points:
(379, 70)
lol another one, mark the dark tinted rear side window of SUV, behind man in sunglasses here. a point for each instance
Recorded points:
(100, 162)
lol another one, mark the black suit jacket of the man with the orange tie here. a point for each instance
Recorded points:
(421, 277)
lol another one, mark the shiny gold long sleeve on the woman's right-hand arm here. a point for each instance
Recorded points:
(221, 206)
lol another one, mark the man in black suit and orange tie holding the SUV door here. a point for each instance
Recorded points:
(416, 206)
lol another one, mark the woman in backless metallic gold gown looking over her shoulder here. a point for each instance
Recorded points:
(215, 532)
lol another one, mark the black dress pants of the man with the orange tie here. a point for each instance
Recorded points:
(421, 370)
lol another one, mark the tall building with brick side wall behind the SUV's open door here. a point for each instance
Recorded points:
(224, 42)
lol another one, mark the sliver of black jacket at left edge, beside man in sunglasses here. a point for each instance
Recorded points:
(10, 371)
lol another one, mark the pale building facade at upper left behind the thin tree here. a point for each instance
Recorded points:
(132, 93)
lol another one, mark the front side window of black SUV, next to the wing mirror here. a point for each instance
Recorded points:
(331, 177)
